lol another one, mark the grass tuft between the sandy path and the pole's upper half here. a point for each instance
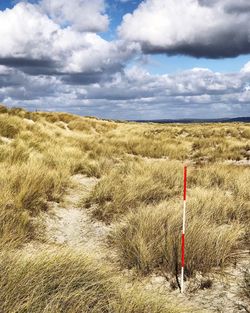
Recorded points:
(133, 183)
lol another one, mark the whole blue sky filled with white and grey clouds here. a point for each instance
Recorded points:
(127, 59)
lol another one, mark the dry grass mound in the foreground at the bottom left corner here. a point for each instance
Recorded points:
(68, 282)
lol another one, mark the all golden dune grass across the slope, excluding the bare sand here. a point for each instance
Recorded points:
(140, 166)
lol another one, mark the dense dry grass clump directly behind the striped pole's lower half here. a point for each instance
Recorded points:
(150, 238)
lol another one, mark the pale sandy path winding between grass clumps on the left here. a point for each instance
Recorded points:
(69, 223)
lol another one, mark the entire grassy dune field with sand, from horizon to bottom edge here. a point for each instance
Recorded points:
(91, 215)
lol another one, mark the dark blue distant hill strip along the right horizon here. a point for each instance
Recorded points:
(198, 120)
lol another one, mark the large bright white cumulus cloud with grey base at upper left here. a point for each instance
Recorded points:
(36, 44)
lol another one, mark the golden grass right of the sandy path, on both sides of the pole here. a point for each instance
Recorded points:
(148, 233)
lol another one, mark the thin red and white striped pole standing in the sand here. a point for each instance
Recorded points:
(183, 228)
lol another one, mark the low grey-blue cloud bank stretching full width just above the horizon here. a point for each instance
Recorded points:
(133, 94)
